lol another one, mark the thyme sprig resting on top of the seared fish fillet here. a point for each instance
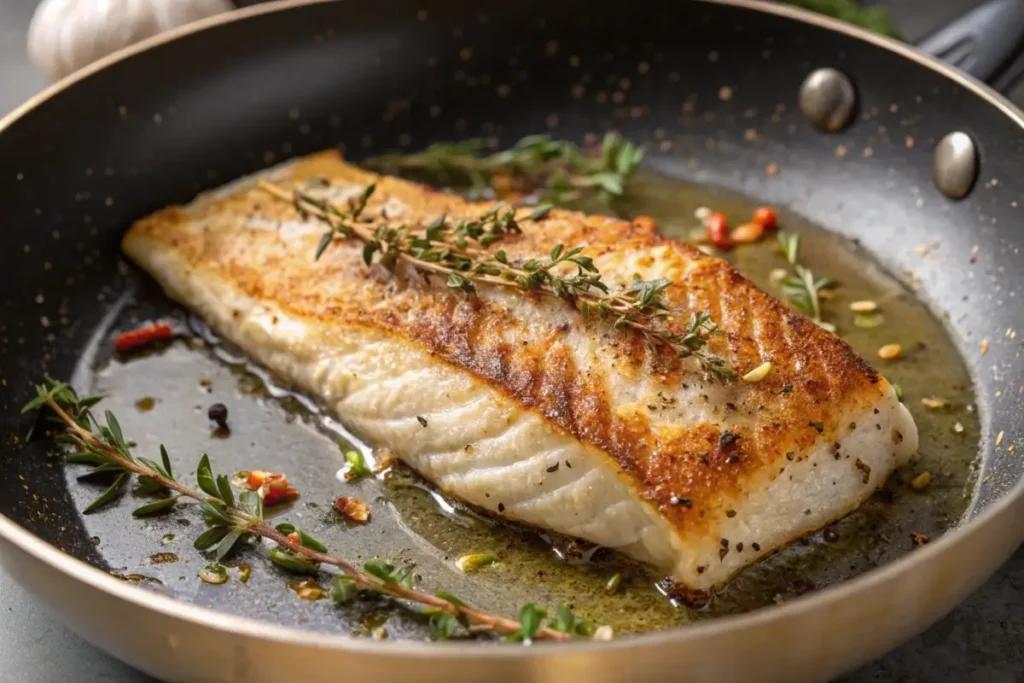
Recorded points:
(456, 250)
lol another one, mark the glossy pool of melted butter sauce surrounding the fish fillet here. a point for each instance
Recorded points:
(276, 430)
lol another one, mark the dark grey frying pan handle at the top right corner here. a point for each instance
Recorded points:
(988, 42)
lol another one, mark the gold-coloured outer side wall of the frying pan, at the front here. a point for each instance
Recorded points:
(813, 641)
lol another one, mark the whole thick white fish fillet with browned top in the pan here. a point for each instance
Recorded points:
(522, 406)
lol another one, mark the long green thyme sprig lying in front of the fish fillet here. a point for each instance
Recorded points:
(230, 521)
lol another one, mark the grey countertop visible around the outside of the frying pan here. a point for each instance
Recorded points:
(982, 642)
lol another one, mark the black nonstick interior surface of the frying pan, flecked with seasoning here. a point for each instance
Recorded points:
(690, 83)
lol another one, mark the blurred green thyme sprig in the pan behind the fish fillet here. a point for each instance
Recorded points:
(562, 169)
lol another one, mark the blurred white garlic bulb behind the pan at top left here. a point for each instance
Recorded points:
(66, 35)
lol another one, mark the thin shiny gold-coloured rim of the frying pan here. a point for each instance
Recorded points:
(244, 627)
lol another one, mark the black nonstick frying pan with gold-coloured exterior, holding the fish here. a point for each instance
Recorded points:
(190, 111)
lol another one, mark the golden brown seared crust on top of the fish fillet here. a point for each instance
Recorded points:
(689, 472)
